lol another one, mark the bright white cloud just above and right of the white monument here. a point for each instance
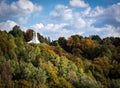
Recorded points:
(54, 31)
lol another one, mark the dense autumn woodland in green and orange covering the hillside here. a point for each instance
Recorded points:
(76, 62)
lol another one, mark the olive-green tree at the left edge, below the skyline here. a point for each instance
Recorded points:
(7, 45)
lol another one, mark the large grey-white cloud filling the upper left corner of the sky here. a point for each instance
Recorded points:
(20, 8)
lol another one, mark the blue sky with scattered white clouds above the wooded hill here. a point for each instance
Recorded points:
(62, 18)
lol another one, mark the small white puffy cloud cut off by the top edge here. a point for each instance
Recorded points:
(78, 3)
